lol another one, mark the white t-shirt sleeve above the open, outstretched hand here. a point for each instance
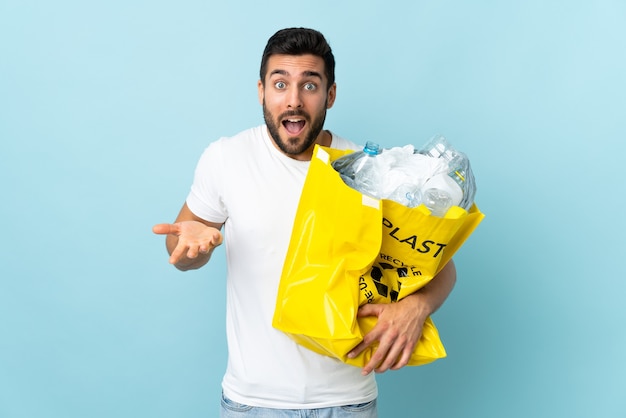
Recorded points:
(206, 198)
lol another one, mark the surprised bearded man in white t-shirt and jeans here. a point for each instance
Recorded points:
(250, 185)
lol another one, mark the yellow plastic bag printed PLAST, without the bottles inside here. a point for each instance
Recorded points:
(348, 249)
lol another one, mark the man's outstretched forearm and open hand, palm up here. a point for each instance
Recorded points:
(190, 240)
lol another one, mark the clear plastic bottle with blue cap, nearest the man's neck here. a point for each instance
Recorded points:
(361, 169)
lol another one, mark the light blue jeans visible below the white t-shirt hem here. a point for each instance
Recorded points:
(232, 409)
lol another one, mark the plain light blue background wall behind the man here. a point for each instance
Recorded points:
(105, 107)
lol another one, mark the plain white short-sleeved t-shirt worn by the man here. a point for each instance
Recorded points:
(247, 183)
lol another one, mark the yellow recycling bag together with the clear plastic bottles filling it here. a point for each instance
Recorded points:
(372, 226)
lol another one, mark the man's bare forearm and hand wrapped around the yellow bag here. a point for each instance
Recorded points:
(399, 325)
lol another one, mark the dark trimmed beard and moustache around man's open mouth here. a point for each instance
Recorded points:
(294, 145)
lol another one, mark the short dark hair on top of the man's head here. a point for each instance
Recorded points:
(300, 41)
